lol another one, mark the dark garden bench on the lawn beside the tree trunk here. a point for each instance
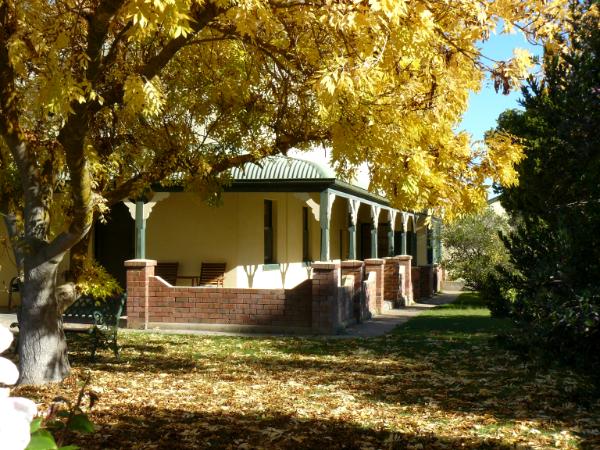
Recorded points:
(97, 318)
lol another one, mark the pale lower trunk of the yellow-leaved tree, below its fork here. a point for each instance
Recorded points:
(42, 344)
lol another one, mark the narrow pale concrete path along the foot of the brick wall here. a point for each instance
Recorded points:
(377, 326)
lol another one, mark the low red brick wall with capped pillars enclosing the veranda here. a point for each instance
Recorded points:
(319, 304)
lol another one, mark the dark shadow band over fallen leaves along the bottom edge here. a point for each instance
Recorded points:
(150, 427)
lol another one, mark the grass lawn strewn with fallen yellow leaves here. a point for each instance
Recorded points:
(436, 382)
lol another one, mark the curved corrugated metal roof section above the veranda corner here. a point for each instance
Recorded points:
(282, 168)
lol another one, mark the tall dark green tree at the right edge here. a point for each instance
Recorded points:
(555, 247)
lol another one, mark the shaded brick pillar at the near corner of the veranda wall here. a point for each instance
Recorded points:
(325, 283)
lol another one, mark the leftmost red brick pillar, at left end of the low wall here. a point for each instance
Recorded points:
(139, 272)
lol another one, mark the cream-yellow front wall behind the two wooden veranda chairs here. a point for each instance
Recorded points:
(183, 228)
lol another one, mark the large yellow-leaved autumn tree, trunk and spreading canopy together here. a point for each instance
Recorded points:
(101, 98)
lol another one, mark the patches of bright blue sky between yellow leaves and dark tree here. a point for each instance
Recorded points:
(486, 105)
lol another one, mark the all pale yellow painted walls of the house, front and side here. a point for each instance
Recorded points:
(182, 228)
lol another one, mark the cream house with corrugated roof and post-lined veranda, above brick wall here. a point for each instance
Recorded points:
(274, 221)
